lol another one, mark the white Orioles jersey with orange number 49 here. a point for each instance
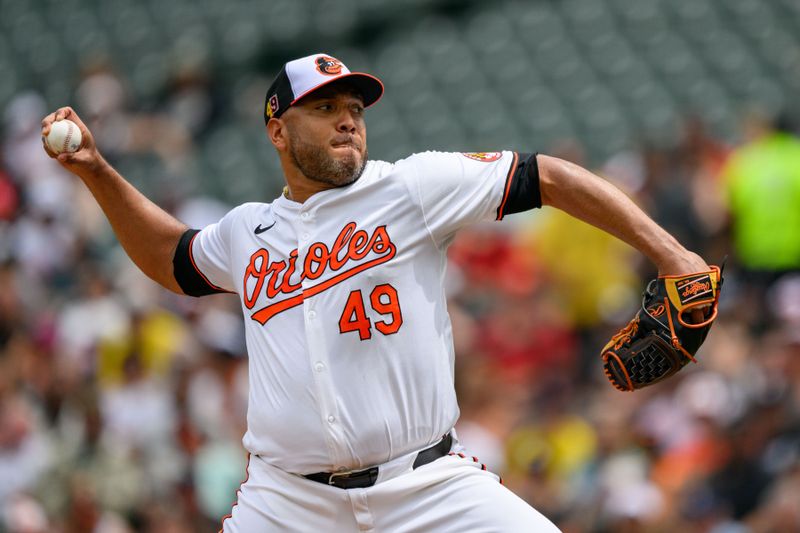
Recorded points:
(349, 340)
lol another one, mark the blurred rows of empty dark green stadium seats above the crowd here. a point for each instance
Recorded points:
(477, 72)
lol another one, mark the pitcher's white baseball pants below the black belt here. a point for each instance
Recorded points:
(451, 494)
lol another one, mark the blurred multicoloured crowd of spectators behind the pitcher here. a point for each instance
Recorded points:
(122, 405)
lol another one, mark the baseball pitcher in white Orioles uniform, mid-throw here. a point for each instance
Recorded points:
(352, 404)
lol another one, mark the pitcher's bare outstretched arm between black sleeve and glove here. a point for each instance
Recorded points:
(592, 199)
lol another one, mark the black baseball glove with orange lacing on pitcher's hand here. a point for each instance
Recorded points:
(661, 338)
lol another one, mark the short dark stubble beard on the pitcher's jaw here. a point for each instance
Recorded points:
(318, 165)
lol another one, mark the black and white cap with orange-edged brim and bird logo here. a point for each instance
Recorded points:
(303, 76)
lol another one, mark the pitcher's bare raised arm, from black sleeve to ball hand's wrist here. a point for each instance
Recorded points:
(148, 234)
